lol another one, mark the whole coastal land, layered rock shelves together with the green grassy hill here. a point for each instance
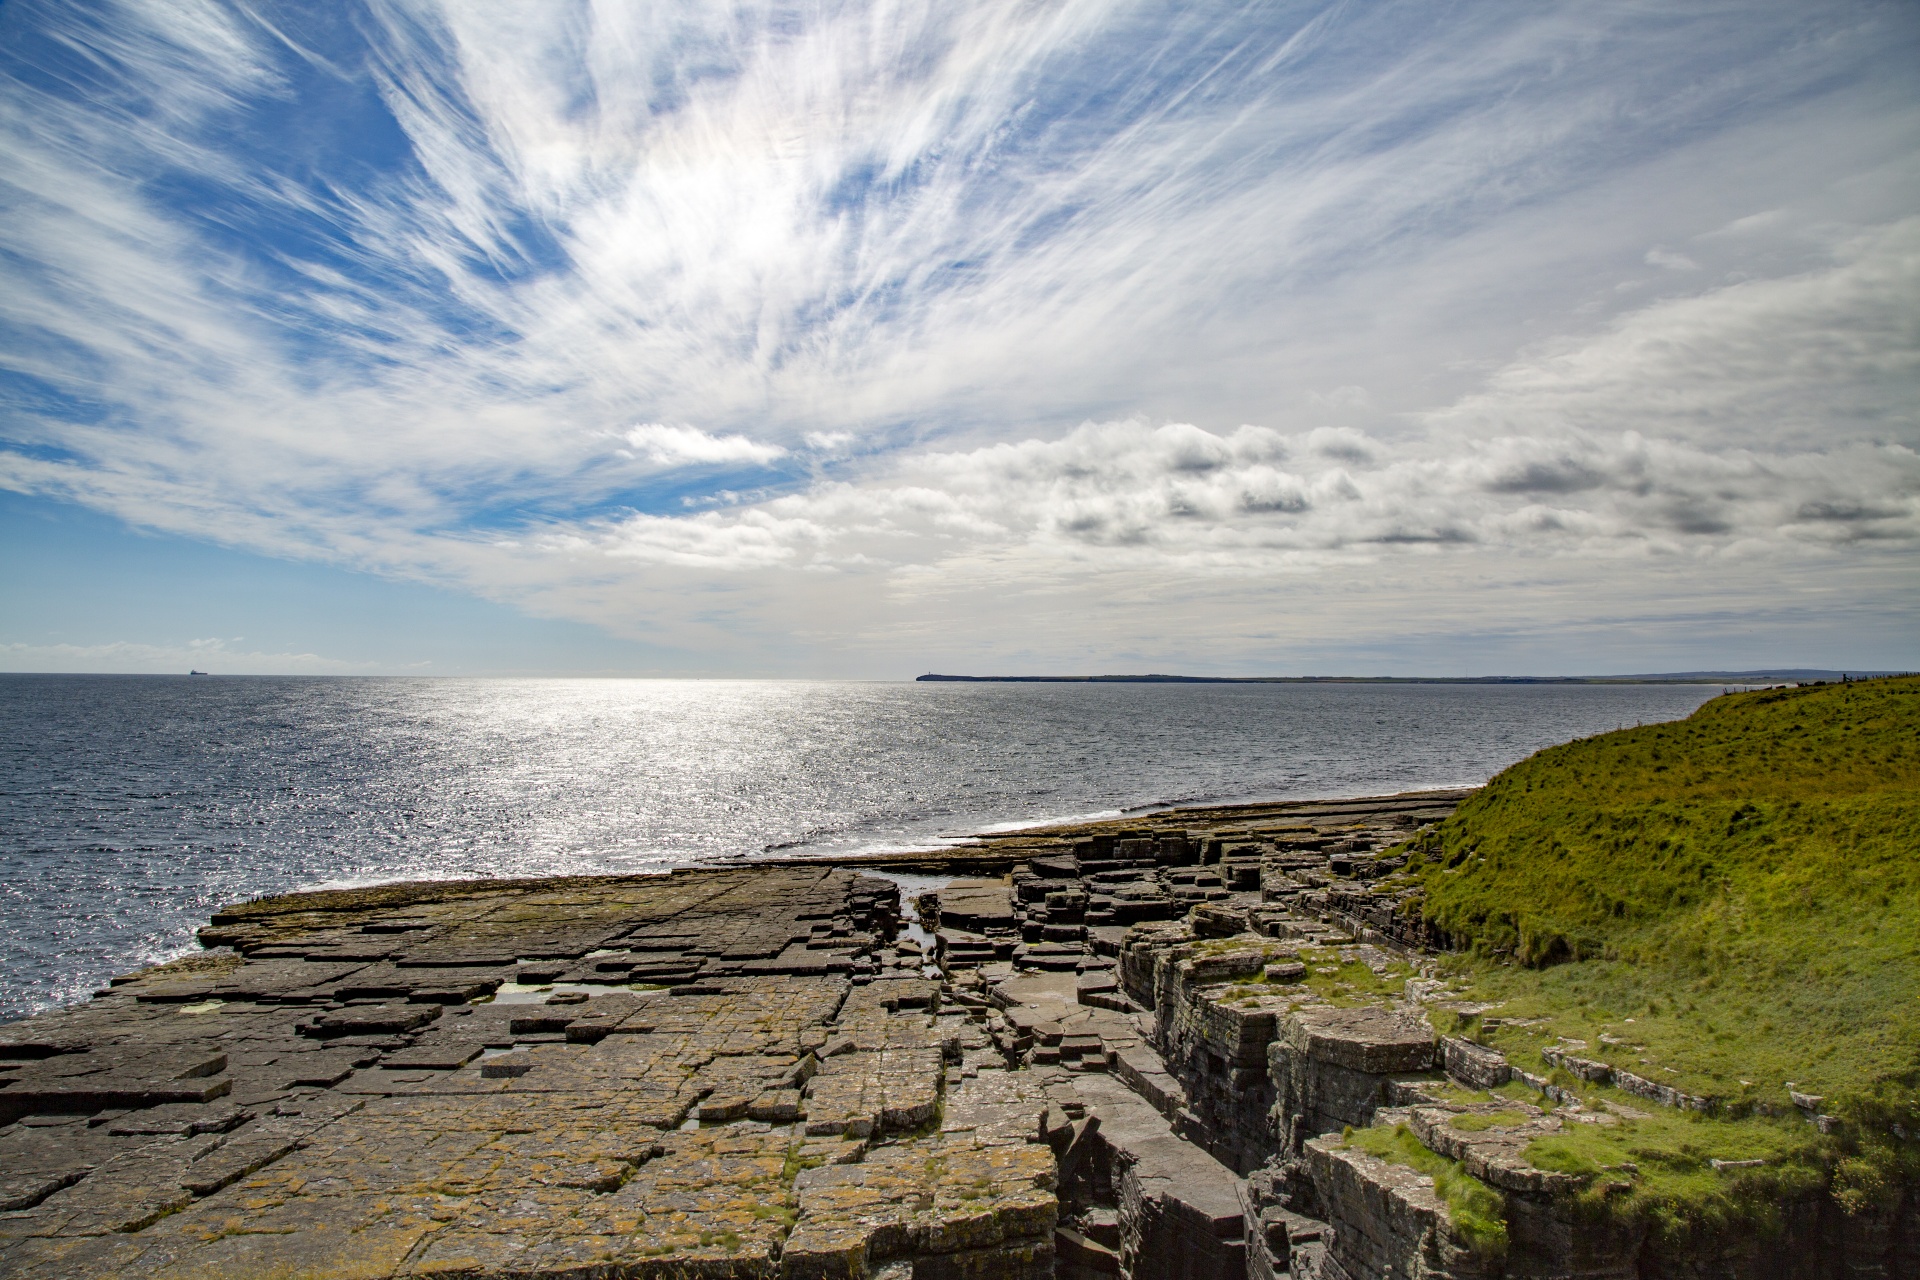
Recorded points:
(1404, 1037)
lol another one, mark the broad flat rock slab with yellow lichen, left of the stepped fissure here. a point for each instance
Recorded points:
(592, 1131)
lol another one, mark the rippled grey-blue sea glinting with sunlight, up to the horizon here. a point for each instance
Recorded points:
(132, 807)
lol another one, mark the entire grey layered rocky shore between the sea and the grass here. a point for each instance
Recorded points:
(1122, 1051)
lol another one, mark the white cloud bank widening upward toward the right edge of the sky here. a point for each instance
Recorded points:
(1589, 475)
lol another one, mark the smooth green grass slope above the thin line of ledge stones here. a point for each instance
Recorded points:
(1725, 905)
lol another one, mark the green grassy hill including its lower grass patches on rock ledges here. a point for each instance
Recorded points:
(1731, 907)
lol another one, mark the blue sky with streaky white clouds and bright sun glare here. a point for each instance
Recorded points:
(1034, 337)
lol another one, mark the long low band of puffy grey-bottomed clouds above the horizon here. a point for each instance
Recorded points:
(1253, 500)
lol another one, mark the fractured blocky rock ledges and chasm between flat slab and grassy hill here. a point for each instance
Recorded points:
(1257, 1068)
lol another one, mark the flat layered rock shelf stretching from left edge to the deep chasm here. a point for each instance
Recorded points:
(719, 1072)
